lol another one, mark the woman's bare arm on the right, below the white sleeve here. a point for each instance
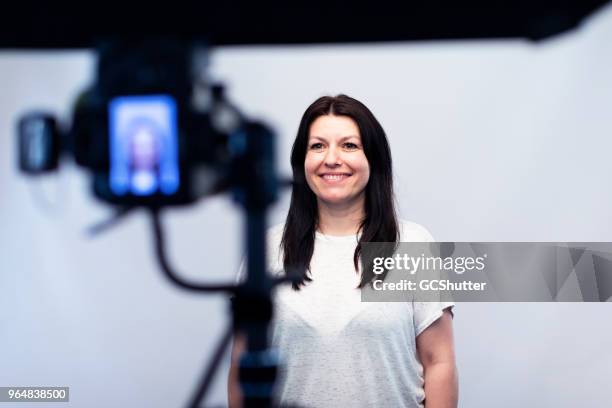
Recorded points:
(436, 352)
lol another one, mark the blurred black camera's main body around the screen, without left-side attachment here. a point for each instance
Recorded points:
(138, 131)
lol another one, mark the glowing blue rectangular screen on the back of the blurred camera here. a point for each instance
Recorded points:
(143, 146)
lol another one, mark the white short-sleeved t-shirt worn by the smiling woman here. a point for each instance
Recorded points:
(338, 351)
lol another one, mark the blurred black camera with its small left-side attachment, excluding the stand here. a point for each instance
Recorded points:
(145, 128)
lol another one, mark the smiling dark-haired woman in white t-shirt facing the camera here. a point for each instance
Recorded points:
(338, 351)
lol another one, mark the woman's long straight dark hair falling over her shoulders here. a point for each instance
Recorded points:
(380, 221)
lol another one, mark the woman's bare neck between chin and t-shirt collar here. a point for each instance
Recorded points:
(341, 219)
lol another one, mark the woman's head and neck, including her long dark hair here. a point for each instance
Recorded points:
(338, 138)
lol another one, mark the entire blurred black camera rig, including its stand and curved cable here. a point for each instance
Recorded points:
(153, 131)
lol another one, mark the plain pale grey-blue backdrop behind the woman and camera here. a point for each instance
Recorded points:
(492, 141)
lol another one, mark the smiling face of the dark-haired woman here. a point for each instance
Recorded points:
(336, 167)
